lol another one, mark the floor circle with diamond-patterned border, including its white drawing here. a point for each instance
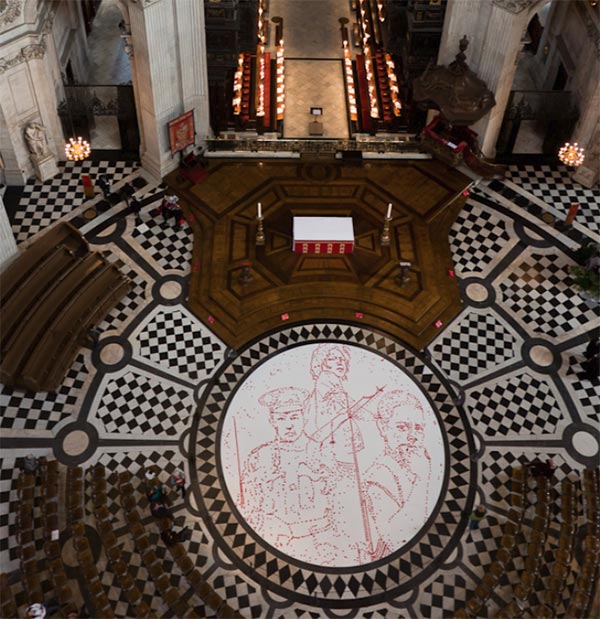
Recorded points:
(332, 465)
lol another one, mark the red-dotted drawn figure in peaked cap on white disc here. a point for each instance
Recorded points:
(285, 482)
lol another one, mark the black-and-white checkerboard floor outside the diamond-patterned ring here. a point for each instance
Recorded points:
(514, 353)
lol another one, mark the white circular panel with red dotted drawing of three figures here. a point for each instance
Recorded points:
(332, 454)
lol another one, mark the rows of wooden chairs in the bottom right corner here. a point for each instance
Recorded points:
(565, 551)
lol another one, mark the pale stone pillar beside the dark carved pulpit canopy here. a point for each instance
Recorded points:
(498, 63)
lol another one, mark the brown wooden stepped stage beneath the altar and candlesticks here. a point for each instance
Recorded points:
(364, 285)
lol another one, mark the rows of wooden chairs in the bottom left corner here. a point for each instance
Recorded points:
(45, 492)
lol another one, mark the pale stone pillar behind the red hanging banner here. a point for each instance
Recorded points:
(170, 75)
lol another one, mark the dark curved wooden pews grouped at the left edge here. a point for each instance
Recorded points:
(50, 296)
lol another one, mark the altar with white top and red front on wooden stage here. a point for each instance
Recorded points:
(323, 235)
